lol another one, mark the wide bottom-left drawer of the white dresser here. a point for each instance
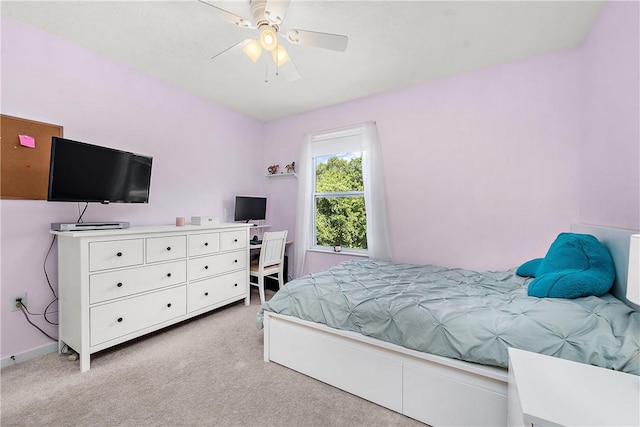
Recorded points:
(110, 321)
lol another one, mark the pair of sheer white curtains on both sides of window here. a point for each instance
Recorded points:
(378, 242)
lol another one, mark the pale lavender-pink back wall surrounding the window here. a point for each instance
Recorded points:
(481, 169)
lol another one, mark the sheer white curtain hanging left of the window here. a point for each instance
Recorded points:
(303, 209)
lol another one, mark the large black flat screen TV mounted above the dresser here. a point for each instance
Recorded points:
(81, 172)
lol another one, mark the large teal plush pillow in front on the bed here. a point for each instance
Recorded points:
(576, 265)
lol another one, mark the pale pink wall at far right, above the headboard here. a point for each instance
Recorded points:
(610, 142)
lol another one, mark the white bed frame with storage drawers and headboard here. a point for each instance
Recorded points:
(435, 390)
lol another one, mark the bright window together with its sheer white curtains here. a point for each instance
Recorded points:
(341, 198)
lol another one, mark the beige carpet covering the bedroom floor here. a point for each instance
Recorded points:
(206, 371)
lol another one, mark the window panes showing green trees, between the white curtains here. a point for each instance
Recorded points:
(339, 219)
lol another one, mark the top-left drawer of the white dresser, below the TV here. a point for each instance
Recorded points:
(116, 253)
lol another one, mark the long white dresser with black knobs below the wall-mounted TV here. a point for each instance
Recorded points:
(116, 285)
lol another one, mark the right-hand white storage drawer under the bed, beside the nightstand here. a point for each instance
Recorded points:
(473, 403)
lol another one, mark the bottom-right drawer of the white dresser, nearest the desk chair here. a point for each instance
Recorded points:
(216, 290)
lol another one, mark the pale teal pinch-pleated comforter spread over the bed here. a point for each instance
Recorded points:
(462, 314)
